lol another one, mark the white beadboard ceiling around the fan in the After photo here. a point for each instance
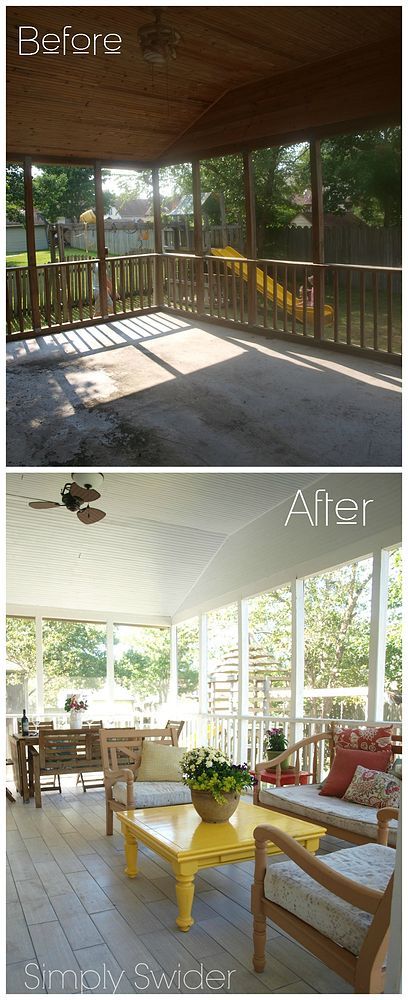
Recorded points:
(160, 533)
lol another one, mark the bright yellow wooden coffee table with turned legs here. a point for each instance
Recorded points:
(177, 834)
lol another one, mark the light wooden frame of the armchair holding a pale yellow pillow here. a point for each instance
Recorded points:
(121, 751)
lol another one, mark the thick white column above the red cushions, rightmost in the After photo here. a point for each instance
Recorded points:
(378, 634)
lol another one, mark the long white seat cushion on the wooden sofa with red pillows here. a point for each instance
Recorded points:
(305, 801)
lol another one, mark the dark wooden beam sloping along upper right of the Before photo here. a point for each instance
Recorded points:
(359, 89)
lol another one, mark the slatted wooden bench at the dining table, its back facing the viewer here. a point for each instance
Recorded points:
(63, 751)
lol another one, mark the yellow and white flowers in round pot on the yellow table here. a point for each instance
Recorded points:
(216, 784)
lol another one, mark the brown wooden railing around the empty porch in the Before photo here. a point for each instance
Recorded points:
(362, 305)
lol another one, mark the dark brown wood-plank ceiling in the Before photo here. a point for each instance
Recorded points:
(299, 70)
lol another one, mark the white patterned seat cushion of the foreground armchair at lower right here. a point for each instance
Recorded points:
(290, 887)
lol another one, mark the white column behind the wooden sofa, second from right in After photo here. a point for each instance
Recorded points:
(298, 659)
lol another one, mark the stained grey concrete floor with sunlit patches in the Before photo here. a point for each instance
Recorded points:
(160, 390)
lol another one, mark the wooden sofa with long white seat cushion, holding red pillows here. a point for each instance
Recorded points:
(346, 820)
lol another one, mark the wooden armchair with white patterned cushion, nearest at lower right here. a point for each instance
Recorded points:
(361, 962)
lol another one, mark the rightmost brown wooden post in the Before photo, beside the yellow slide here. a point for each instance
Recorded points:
(317, 236)
